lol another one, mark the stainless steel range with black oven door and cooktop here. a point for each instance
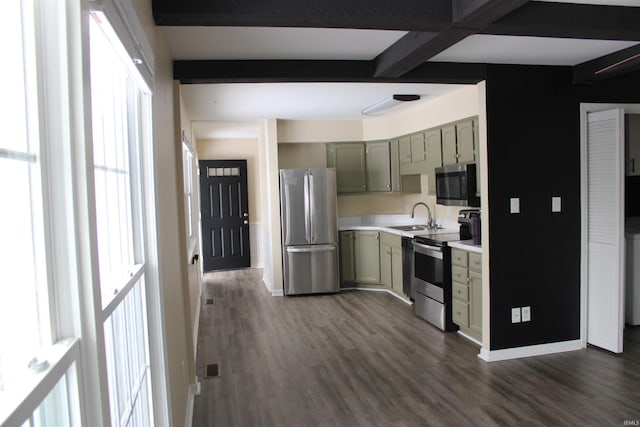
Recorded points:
(431, 280)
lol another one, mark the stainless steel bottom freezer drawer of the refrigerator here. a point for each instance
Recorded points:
(311, 269)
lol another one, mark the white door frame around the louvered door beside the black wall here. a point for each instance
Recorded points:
(586, 108)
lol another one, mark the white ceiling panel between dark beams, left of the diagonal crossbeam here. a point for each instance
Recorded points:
(229, 43)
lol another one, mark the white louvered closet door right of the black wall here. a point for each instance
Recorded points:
(605, 162)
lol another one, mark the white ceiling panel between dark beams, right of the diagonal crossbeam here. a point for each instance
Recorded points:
(529, 50)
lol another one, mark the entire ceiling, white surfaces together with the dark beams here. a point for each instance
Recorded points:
(241, 61)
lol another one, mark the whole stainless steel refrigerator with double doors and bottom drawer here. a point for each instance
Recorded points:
(309, 231)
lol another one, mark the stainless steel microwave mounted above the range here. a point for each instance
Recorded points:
(456, 185)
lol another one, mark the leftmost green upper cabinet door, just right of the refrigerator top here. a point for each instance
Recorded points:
(349, 161)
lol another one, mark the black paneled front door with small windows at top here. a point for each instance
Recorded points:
(224, 214)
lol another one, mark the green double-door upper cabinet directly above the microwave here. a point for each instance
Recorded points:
(459, 141)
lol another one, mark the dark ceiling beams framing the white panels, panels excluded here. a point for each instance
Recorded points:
(429, 28)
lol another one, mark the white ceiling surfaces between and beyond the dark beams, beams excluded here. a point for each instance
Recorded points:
(225, 110)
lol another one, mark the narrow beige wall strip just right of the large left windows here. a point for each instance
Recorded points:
(180, 360)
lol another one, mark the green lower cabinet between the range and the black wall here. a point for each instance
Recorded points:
(466, 274)
